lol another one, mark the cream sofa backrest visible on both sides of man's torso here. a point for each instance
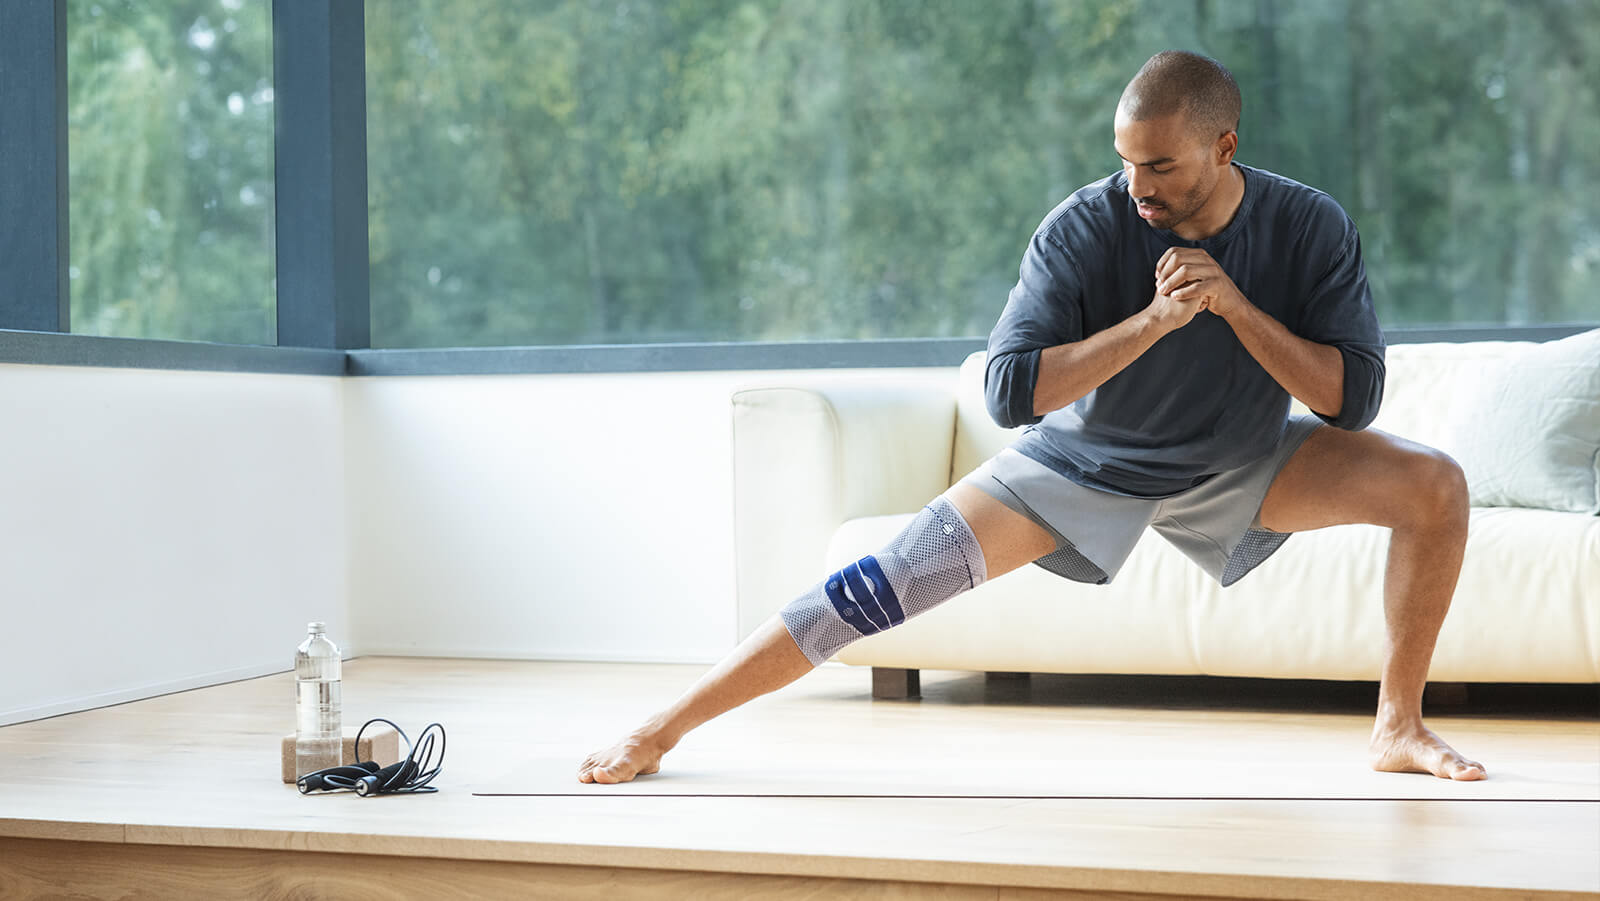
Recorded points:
(1422, 383)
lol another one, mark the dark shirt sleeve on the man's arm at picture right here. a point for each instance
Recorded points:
(1340, 313)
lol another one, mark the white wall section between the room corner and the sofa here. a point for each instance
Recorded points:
(550, 516)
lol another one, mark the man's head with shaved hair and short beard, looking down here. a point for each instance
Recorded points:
(1177, 132)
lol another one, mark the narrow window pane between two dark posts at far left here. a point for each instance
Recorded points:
(170, 158)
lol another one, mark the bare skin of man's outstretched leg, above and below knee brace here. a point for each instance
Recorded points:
(772, 659)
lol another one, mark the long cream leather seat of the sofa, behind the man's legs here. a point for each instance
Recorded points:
(1524, 611)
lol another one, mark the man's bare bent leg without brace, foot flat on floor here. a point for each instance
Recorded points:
(1374, 478)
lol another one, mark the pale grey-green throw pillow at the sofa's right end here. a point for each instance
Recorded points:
(1527, 428)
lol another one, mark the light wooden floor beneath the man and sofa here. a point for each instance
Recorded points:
(180, 796)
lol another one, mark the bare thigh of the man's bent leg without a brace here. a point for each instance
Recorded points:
(1342, 478)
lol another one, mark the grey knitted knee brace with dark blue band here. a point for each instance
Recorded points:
(932, 561)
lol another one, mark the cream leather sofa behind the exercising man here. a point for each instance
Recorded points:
(830, 470)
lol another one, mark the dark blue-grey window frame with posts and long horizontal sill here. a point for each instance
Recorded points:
(324, 314)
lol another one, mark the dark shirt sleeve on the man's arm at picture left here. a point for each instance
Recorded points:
(1044, 311)
